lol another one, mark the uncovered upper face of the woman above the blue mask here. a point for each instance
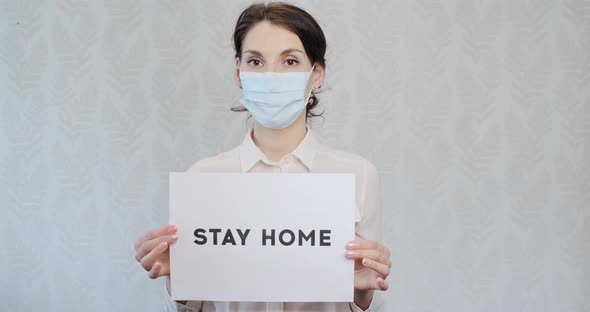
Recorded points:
(270, 48)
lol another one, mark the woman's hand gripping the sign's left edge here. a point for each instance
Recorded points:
(152, 250)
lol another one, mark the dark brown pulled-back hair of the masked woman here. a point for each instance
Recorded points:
(295, 20)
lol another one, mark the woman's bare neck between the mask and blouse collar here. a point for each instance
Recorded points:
(276, 143)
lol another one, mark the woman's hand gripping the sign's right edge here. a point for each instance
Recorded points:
(372, 264)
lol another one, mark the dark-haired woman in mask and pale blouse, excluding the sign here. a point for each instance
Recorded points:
(280, 66)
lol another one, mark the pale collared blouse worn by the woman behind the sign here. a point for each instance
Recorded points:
(309, 156)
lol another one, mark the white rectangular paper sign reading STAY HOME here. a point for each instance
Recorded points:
(262, 237)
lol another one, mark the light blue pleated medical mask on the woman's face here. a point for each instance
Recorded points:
(275, 100)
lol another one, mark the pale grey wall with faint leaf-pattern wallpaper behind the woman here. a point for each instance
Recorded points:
(476, 113)
